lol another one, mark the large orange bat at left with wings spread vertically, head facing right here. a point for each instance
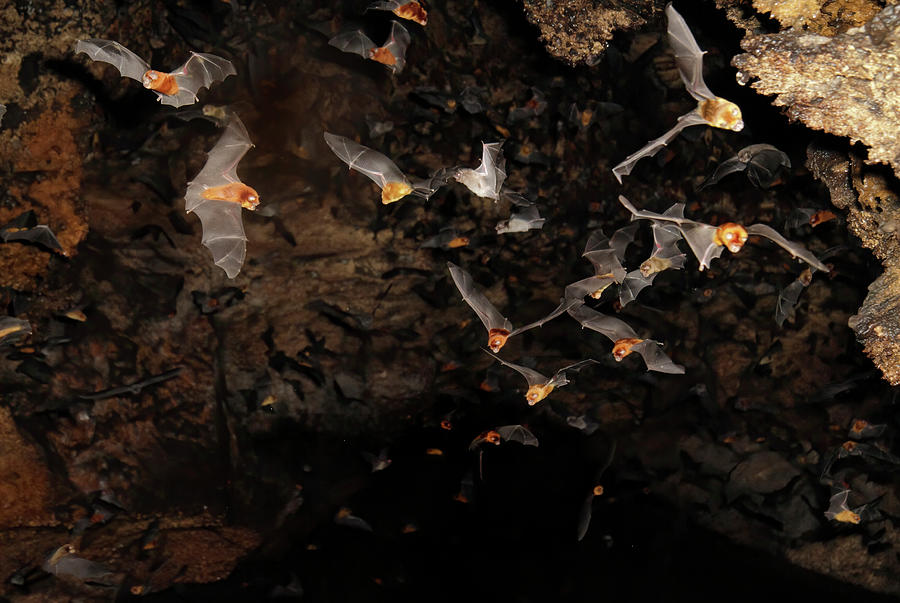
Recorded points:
(217, 197)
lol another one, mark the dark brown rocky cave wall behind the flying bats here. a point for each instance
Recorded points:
(202, 438)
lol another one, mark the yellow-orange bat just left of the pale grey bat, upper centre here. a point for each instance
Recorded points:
(382, 171)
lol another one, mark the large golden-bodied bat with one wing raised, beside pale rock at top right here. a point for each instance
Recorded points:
(711, 110)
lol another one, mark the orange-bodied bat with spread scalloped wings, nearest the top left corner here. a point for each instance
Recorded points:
(177, 88)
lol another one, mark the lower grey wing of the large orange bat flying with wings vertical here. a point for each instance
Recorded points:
(223, 233)
